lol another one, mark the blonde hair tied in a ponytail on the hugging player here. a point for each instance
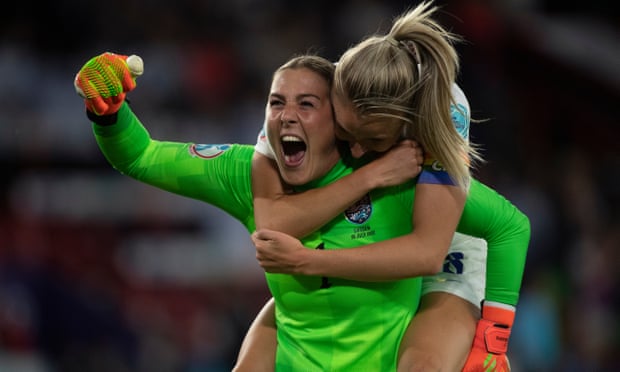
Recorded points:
(407, 75)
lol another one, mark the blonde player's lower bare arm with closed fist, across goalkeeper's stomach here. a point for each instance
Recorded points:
(421, 252)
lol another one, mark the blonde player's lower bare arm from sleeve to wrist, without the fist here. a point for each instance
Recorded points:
(422, 252)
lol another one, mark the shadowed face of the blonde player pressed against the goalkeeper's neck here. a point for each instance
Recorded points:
(364, 134)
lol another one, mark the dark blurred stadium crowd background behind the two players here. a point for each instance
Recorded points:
(101, 273)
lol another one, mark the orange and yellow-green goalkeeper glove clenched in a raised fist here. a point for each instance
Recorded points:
(104, 81)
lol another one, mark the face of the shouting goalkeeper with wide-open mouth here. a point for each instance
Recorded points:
(300, 125)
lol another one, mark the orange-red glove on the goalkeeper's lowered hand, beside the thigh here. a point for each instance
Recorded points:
(488, 352)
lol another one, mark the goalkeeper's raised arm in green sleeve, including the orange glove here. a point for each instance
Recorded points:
(181, 168)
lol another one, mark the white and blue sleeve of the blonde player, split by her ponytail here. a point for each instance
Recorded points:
(432, 170)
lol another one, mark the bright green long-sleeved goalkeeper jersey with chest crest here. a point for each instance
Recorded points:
(324, 324)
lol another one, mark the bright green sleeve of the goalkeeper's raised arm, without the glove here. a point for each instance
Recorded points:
(217, 174)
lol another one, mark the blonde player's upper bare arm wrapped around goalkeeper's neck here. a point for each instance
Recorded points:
(275, 209)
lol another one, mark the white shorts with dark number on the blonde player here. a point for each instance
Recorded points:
(464, 270)
